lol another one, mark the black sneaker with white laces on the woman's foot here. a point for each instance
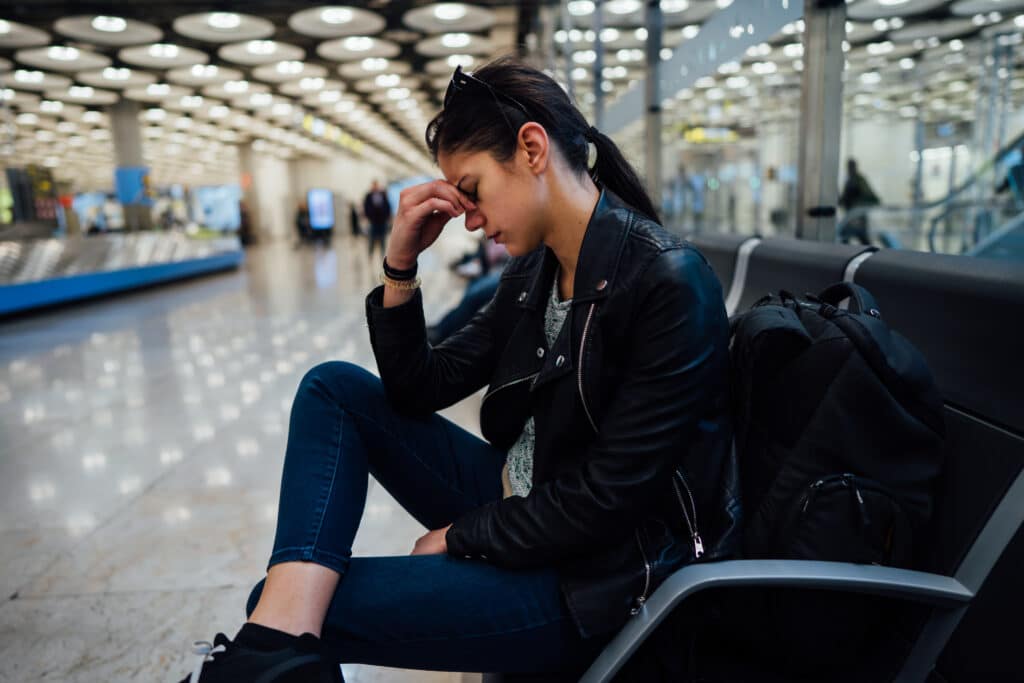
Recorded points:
(227, 662)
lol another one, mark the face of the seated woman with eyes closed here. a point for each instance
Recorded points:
(509, 197)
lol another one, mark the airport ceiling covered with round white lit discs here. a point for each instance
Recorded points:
(210, 75)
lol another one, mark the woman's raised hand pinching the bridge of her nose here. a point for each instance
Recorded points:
(423, 212)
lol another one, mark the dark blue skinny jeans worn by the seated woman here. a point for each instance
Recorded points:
(425, 612)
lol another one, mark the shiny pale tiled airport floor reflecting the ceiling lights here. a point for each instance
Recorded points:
(141, 447)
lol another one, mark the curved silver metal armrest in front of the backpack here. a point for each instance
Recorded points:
(902, 584)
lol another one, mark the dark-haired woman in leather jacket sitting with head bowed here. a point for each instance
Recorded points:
(607, 463)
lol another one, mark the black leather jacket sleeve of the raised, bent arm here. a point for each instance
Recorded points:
(418, 379)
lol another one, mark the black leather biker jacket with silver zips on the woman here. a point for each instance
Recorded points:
(634, 391)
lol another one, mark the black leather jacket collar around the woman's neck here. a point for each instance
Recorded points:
(600, 254)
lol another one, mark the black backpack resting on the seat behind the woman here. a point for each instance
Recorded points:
(839, 433)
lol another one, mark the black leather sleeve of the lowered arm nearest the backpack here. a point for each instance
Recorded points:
(676, 366)
